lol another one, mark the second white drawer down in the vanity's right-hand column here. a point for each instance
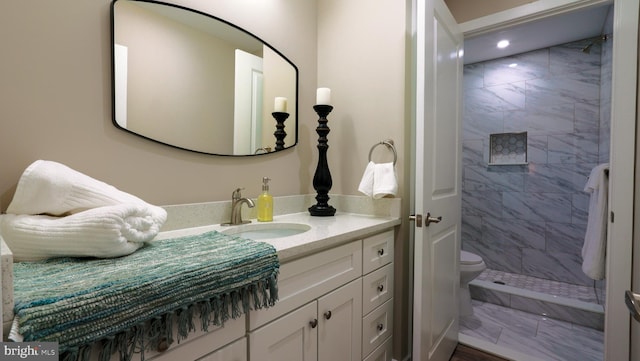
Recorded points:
(377, 288)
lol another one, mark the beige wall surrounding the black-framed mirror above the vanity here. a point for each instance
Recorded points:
(55, 103)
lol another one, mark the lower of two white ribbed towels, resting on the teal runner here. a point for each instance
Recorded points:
(109, 231)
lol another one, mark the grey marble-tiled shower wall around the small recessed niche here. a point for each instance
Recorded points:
(531, 219)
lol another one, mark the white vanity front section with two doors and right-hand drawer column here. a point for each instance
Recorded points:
(334, 305)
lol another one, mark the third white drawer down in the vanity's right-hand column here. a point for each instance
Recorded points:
(377, 326)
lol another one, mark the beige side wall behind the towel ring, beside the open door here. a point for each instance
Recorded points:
(363, 57)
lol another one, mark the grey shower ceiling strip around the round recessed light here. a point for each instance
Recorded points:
(559, 29)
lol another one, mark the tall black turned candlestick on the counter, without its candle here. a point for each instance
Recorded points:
(322, 179)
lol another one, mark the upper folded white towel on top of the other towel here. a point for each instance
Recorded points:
(55, 189)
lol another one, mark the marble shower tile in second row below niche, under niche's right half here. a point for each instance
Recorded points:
(536, 206)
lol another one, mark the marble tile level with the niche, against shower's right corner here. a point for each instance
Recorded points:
(573, 148)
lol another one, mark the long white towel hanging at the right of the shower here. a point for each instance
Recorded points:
(595, 240)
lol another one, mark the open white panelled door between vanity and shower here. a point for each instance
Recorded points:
(437, 181)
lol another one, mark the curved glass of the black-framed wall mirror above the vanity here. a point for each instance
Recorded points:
(190, 80)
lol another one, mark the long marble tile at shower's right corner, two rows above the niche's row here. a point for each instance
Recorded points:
(564, 88)
